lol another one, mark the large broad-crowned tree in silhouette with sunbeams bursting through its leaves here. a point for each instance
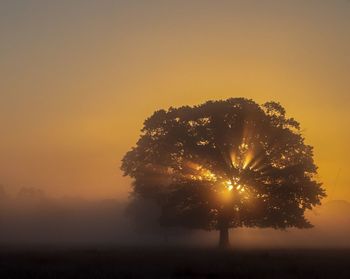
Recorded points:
(225, 164)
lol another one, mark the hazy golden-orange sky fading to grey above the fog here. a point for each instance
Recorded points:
(78, 78)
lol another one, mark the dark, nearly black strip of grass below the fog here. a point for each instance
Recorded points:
(173, 262)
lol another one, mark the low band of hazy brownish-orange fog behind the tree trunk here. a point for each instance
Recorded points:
(30, 217)
